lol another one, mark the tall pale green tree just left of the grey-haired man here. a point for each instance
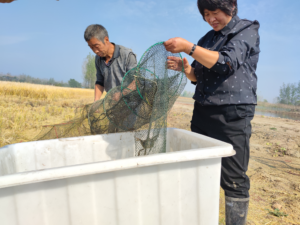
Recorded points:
(89, 71)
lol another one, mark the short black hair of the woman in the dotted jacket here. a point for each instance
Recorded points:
(224, 5)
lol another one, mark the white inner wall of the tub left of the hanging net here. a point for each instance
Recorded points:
(42, 155)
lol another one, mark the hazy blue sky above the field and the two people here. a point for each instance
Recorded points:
(45, 38)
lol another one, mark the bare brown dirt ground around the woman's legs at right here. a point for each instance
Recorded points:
(274, 167)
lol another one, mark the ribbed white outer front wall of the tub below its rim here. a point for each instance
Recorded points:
(175, 193)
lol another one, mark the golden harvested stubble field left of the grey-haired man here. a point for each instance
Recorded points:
(25, 108)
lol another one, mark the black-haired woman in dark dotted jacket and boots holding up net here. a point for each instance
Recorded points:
(224, 72)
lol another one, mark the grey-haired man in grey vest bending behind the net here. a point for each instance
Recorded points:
(112, 61)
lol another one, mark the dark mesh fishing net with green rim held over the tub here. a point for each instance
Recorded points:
(140, 105)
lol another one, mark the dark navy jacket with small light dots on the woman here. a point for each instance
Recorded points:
(232, 80)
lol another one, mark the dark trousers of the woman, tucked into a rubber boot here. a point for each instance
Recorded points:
(231, 124)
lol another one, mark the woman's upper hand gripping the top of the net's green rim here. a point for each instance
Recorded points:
(176, 45)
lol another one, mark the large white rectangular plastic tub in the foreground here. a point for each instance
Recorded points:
(95, 180)
